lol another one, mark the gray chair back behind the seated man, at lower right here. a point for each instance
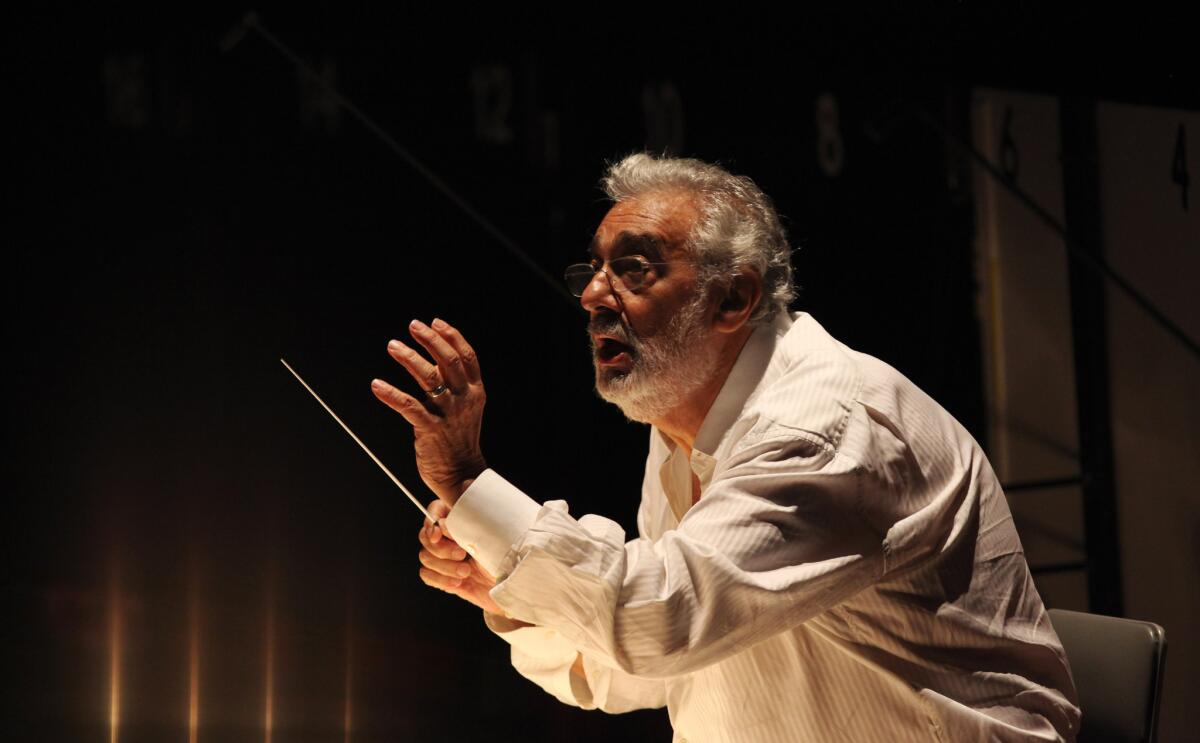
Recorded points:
(1118, 666)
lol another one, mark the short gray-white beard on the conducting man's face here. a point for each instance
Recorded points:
(664, 370)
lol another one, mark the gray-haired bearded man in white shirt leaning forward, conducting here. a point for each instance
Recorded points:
(824, 554)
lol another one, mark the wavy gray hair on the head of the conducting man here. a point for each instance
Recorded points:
(737, 226)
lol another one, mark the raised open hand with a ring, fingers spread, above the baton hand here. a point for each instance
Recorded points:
(448, 422)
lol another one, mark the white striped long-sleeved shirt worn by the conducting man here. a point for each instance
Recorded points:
(850, 573)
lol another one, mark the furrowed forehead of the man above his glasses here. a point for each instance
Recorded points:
(657, 223)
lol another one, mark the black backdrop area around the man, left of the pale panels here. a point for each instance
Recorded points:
(181, 218)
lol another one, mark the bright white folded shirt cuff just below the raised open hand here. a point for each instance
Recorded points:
(490, 518)
